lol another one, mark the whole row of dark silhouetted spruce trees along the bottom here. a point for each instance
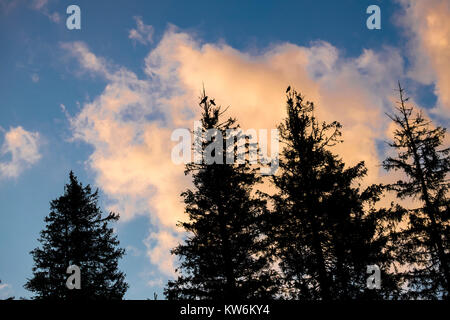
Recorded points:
(313, 239)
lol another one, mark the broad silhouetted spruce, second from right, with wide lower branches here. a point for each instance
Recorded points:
(324, 229)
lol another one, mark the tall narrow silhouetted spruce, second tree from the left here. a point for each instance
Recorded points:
(223, 256)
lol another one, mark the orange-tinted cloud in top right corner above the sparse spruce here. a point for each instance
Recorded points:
(428, 25)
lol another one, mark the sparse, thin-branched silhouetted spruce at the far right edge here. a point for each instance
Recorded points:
(424, 244)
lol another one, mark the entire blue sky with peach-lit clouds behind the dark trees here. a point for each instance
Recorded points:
(103, 101)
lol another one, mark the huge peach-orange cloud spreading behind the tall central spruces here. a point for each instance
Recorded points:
(129, 124)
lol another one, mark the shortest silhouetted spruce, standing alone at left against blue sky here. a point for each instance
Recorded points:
(77, 234)
